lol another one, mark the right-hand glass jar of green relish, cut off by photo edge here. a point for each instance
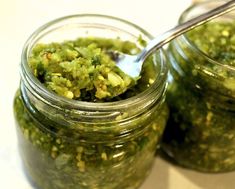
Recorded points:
(200, 133)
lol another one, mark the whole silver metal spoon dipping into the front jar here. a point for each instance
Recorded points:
(132, 64)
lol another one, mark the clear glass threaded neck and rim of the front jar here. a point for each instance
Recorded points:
(63, 110)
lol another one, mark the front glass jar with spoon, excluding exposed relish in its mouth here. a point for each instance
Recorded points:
(73, 144)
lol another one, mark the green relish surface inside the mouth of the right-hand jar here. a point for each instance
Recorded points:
(216, 40)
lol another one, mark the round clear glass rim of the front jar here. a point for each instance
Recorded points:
(33, 82)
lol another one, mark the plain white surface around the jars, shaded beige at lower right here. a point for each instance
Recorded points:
(19, 18)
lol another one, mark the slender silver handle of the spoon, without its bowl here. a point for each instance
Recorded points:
(171, 34)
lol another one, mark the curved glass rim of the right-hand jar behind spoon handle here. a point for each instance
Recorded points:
(194, 47)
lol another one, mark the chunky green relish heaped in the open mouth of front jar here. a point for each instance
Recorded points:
(82, 69)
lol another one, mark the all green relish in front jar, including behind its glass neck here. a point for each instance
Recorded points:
(74, 136)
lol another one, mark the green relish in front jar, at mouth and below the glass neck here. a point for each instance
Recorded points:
(58, 156)
